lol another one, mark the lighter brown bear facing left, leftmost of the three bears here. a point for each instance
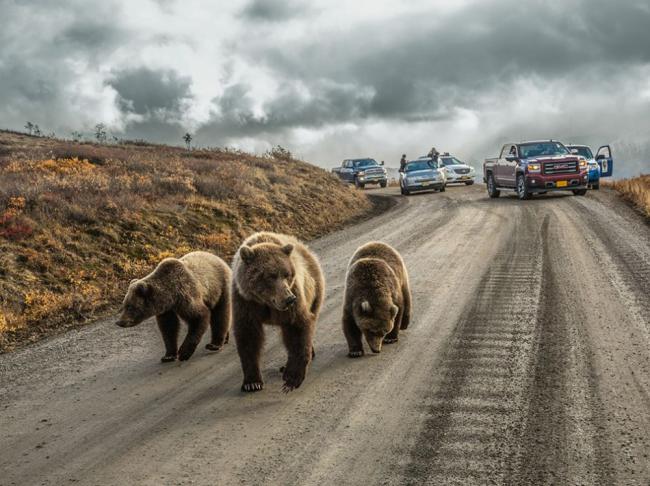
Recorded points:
(194, 288)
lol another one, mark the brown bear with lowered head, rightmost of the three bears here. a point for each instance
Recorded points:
(377, 300)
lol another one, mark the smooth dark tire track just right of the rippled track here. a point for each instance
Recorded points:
(560, 444)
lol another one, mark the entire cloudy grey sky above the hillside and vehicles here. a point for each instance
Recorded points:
(330, 79)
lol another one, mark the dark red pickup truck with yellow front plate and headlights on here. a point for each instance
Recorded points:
(535, 168)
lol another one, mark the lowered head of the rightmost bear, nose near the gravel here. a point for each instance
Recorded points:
(375, 318)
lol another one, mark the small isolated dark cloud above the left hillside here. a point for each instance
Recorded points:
(145, 91)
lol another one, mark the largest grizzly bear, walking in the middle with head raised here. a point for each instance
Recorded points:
(276, 281)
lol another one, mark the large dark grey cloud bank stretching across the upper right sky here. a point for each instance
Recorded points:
(428, 67)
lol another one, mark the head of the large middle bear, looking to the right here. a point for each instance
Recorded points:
(267, 275)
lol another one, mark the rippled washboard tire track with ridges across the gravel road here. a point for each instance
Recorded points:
(473, 417)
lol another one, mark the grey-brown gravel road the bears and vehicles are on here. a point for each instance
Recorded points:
(527, 361)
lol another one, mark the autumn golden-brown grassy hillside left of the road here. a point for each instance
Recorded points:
(78, 221)
